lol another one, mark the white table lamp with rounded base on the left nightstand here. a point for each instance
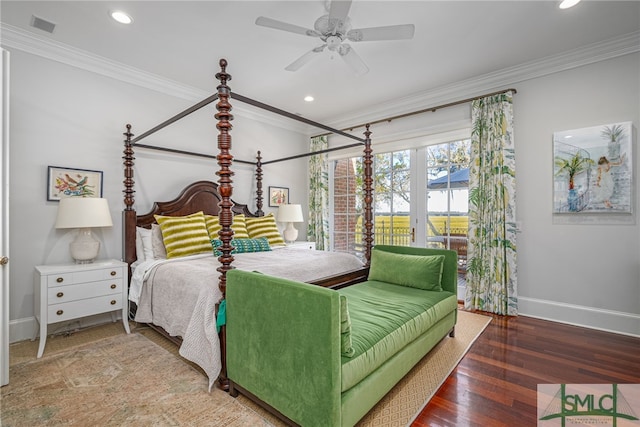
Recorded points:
(83, 213)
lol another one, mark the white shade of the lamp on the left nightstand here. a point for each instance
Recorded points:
(83, 212)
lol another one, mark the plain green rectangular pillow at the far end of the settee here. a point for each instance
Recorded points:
(415, 271)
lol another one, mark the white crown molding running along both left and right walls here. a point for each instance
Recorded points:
(16, 38)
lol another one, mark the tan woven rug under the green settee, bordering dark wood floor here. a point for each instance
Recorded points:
(407, 399)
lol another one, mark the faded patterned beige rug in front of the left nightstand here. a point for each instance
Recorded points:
(122, 380)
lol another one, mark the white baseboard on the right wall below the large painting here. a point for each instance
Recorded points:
(589, 317)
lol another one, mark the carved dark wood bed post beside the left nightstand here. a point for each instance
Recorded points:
(129, 213)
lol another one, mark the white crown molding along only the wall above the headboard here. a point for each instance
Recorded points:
(16, 38)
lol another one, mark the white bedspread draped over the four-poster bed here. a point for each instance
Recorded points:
(180, 295)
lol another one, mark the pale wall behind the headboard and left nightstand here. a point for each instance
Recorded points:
(65, 116)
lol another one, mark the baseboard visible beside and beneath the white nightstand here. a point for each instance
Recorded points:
(26, 329)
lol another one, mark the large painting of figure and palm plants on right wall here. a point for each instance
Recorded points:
(593, 169)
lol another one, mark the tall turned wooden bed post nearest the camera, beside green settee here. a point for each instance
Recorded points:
(225, 188)
